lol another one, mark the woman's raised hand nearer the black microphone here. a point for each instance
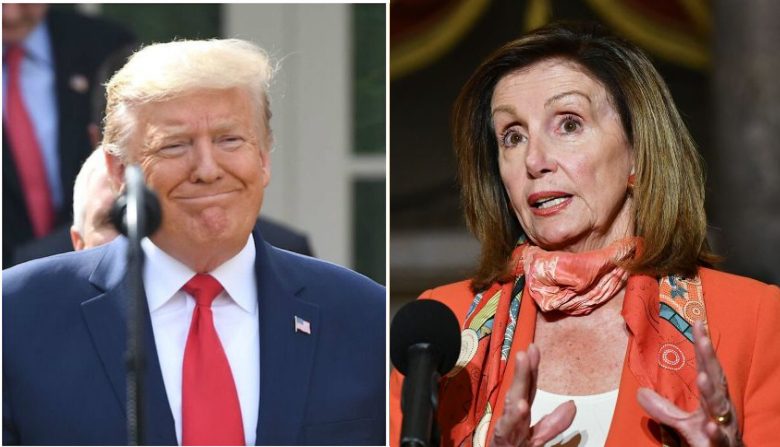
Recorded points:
(514, 427)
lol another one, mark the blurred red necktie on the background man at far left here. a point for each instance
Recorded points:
(26, 151)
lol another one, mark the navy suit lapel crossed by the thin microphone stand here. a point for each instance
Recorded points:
(106, 319)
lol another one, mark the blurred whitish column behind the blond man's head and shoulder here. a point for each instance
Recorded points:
(312, 121)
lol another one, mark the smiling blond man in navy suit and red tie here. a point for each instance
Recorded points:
(245, 343)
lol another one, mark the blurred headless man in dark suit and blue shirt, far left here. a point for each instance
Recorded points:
(62, 53)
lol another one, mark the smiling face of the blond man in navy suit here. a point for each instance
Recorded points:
(204, 154)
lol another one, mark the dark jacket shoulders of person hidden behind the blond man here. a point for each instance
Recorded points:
(58, 241)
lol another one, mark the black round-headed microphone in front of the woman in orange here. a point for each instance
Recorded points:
(424, 345)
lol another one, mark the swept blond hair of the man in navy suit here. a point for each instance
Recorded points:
(164, 71)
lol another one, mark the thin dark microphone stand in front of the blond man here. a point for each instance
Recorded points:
(136, 224)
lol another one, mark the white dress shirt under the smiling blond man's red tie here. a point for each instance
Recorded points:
(235, 319)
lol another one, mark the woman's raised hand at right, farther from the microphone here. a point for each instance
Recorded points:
(714, 423)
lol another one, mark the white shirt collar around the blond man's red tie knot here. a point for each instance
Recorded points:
(164, 276)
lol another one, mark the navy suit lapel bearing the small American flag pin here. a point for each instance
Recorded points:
(286, 356)
